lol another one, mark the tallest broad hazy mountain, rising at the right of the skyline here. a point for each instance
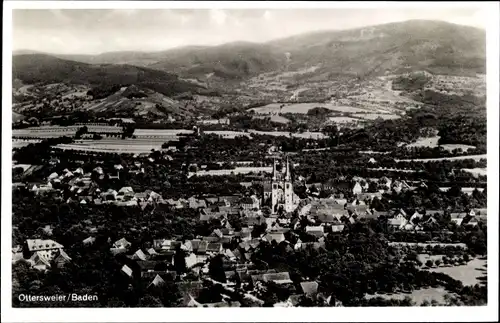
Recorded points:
(438, 47)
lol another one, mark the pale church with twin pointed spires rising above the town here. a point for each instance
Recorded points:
(280, 191)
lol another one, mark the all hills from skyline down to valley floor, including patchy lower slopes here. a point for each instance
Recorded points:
(371, 69)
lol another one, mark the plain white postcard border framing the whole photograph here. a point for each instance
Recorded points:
(462, 314)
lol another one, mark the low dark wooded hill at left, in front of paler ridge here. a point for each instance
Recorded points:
(41, 68)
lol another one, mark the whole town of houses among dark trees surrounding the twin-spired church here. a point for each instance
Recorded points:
(262, 231)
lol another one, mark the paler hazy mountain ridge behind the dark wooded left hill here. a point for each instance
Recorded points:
(394, 48)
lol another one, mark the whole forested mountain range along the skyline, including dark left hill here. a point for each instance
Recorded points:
(363, 53)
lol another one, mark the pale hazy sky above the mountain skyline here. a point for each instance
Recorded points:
(87, 31)
